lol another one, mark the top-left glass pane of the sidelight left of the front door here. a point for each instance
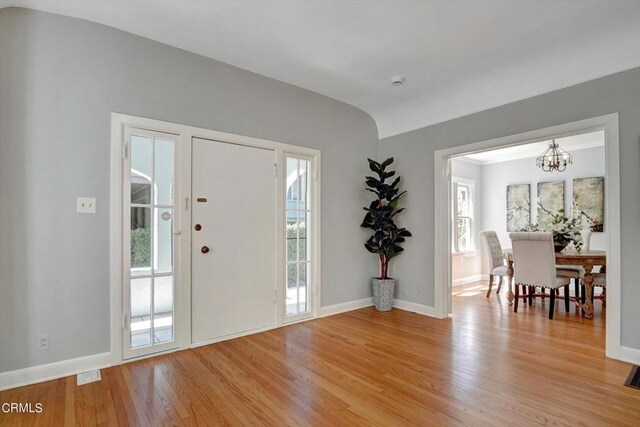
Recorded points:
(141, 169)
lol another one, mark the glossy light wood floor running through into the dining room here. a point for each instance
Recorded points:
(486, 366)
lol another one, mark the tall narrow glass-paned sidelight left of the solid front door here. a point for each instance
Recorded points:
(151, 242)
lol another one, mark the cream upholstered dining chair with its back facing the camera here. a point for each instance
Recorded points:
(535, 266)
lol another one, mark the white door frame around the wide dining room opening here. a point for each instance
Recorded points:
(442, 171)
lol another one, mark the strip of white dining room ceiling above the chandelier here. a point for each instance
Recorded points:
(570, 144)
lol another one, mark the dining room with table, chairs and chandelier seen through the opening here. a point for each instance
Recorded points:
(529, 238)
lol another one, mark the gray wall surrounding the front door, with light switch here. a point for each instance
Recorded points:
(60, 79)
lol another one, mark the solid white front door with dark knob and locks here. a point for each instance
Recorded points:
(234, 230)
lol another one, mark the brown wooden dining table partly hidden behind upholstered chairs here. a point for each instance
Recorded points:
(588, 259)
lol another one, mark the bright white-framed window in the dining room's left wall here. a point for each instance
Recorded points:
(463, 216)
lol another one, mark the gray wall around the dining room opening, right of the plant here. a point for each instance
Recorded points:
(414, 153)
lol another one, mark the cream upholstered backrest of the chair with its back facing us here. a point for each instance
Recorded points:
(534, 258)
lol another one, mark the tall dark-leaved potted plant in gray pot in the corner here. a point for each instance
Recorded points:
(387, 236)
